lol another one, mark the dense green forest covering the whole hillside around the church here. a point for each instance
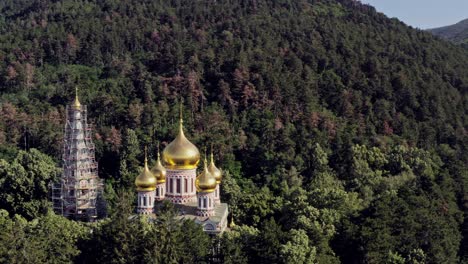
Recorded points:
(341, 133)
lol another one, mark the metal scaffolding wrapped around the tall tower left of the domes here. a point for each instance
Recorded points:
(79, 188)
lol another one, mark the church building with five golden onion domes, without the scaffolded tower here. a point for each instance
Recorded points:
(175, 179)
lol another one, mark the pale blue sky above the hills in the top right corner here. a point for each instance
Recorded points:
(423, 14)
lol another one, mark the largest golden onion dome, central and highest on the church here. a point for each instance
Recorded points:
(181, 153)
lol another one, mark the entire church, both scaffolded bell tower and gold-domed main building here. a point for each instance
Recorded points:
(174, 178)
